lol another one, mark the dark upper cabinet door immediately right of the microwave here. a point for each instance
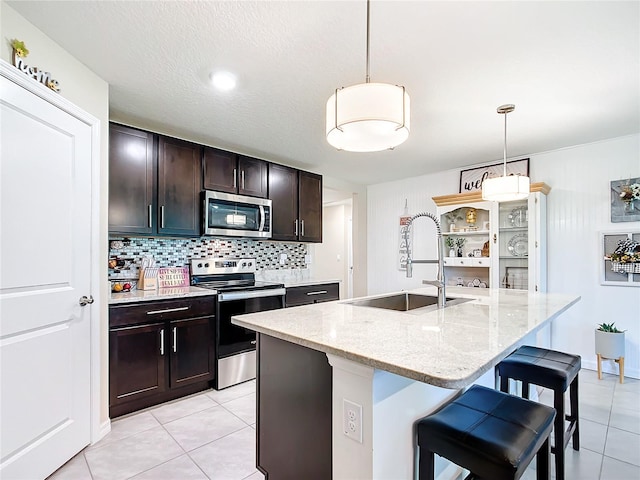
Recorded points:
(283, 191)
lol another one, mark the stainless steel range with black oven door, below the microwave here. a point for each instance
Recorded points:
(238, 293)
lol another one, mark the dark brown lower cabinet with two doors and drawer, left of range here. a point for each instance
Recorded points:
(153, 362)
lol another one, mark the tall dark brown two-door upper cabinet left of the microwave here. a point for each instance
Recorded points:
(154, 184)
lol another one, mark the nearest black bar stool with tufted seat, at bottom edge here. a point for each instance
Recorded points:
(492, 434)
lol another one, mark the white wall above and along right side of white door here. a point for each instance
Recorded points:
(85, 89)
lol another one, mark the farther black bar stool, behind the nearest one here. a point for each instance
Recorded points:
(557, 371)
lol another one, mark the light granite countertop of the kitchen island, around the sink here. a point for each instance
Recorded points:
(448, 347)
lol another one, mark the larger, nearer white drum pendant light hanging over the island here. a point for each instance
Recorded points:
(368, 117)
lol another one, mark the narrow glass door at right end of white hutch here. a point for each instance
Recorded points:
(514, 245)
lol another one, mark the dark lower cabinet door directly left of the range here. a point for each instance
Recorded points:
(192, 351)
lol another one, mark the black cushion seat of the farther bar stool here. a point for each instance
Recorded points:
(547, 368)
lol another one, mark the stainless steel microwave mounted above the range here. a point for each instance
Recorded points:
(231, 215)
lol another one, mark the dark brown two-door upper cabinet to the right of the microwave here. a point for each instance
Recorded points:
(297, 204)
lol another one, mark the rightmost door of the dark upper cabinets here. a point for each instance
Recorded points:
(310, 205)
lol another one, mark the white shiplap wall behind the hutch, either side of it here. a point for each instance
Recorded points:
(578, 209)
